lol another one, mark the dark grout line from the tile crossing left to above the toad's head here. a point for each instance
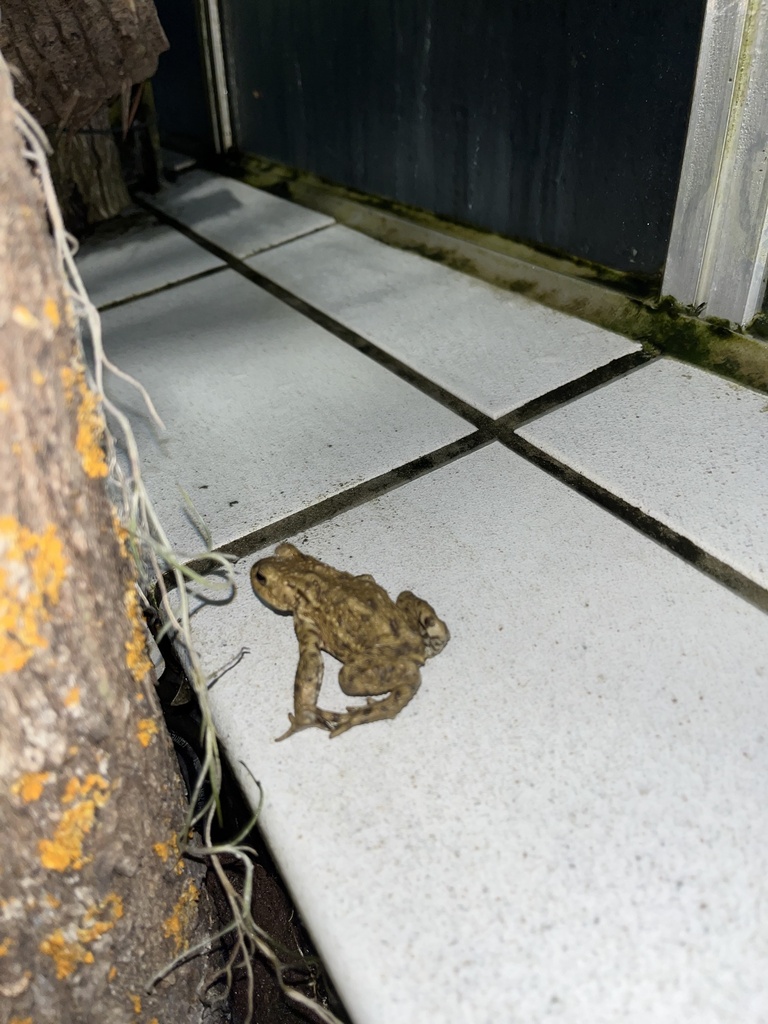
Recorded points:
(353, 497)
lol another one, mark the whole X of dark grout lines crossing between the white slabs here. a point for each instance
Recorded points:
(489, 431)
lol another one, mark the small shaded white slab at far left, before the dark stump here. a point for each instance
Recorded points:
(140, 261)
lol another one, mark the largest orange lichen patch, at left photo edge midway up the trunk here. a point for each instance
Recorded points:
(32, 569)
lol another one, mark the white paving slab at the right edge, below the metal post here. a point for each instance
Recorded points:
(687, 447)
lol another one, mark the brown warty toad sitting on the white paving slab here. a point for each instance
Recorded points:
(381, 644)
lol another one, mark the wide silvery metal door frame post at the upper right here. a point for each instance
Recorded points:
(718, 253)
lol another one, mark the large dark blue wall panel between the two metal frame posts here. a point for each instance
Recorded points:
(556, 122)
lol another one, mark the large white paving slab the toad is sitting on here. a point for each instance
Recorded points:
(569, 821)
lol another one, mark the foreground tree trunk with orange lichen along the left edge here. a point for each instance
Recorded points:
(94, 900)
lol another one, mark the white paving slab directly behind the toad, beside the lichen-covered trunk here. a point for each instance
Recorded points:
(266, 412)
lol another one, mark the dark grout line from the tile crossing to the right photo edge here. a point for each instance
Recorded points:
(666, 536)
